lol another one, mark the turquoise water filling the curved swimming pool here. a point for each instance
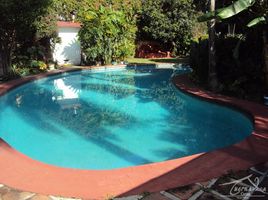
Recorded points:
(114, 119)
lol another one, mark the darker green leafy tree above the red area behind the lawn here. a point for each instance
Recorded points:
(169, 22)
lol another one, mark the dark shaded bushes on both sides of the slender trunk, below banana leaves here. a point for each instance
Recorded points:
(239, 75)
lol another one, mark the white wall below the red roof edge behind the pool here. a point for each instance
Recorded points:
(69, 48)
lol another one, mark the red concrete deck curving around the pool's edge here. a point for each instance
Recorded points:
(24, 173)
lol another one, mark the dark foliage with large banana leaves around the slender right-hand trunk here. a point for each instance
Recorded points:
(240, 51)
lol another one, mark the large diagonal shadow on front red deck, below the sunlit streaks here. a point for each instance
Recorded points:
(206, 166)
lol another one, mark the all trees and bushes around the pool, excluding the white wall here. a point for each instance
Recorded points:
(113, 29)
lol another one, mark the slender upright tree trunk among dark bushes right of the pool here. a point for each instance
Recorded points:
(212, 75)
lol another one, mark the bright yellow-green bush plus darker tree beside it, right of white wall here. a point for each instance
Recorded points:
(109, 31)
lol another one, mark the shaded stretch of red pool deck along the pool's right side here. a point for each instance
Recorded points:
(243, 155)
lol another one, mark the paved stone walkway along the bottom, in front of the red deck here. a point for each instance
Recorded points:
(217, 189)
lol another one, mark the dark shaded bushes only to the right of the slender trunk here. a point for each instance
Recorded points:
(241, 76)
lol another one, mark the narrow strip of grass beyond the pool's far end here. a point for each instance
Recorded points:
(158, 60)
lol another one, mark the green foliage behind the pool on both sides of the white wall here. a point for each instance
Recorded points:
(109, 28)
